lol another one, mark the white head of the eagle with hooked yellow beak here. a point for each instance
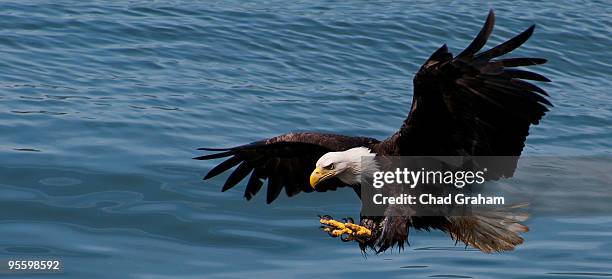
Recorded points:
(347, 165)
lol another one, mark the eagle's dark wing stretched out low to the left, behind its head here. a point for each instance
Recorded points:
(285, 161)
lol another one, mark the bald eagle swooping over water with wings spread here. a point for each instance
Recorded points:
(471, 104)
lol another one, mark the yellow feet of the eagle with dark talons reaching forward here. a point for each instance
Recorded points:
(346, 229)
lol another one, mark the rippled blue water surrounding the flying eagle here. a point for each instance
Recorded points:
(102, 105)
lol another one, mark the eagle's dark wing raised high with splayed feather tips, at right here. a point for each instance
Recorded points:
(474, 103)
